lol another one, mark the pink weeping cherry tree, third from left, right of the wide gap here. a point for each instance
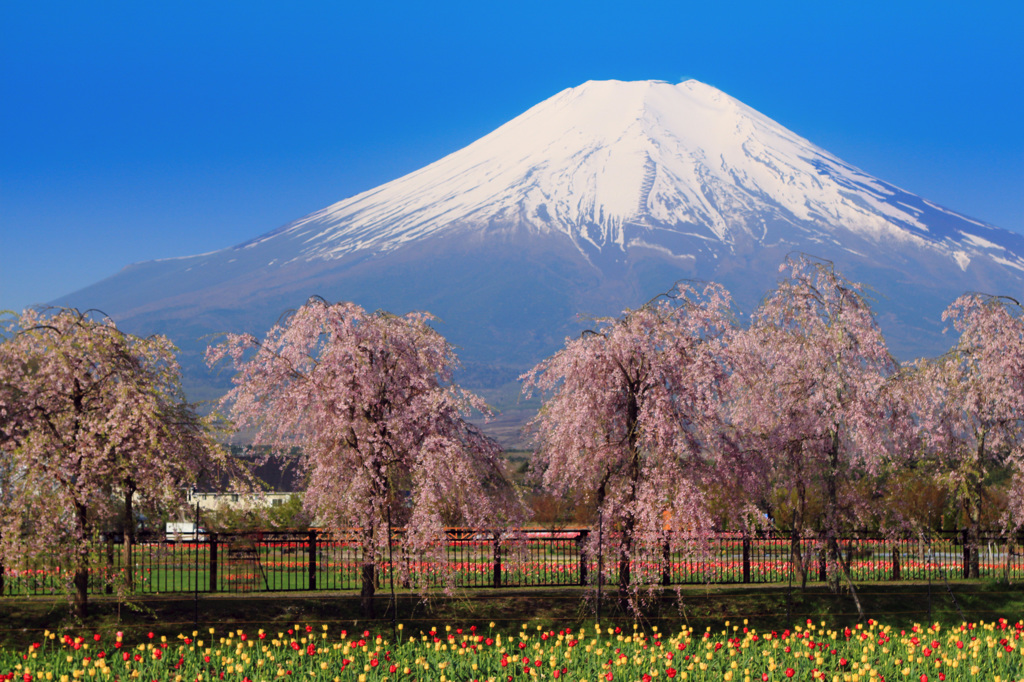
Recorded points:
(631, 414)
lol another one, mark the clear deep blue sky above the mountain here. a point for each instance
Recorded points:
(140, 131)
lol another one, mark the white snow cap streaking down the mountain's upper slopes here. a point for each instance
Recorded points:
(621, 165)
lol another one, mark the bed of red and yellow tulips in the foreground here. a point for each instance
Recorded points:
(738, 652)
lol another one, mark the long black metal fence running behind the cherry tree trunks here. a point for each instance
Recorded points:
(282, 562)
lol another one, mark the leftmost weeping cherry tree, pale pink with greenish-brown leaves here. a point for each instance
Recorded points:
(91, 417)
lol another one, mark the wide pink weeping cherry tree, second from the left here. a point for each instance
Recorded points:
(369, 400)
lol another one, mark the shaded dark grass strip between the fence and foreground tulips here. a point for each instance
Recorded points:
(769, 608)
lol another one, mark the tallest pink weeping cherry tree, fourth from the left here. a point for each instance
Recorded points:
(807, 395)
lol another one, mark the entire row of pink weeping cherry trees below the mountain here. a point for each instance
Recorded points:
(670, 420)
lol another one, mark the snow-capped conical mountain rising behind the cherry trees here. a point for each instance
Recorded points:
(594, 200)
